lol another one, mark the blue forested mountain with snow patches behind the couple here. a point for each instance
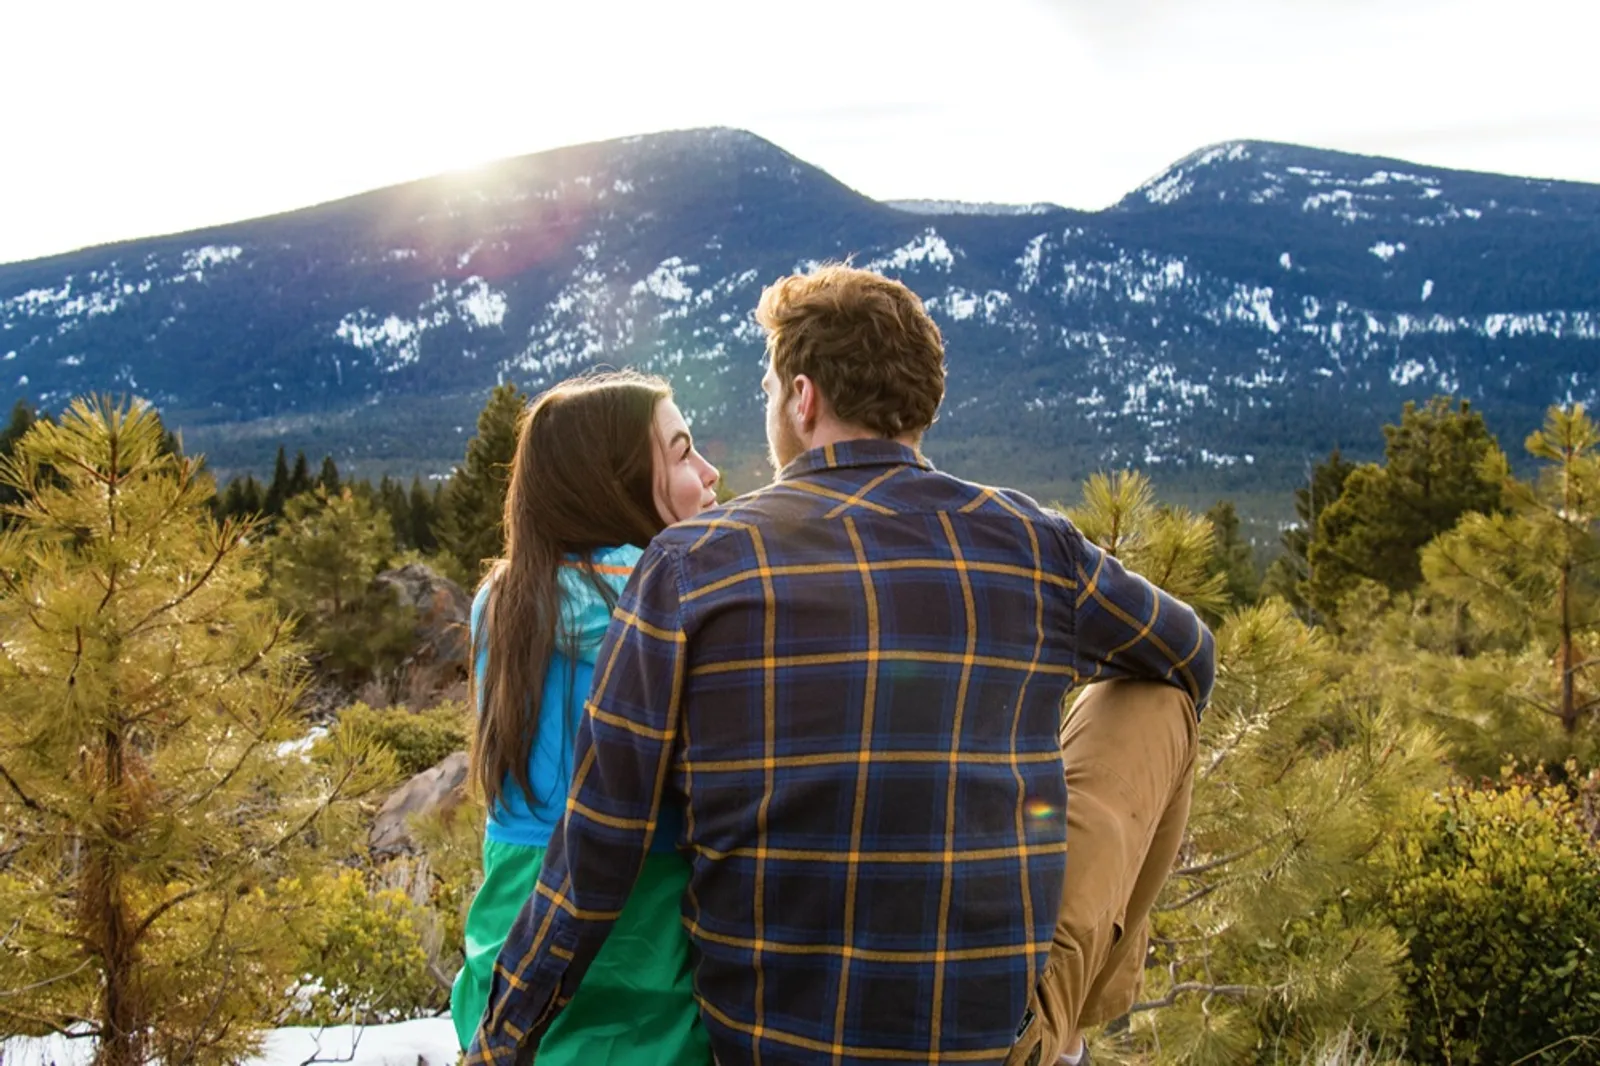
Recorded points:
(1249, 308)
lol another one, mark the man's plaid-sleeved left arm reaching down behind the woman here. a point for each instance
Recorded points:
(623, 756)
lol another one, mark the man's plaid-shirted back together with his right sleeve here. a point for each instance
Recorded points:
(874, 665)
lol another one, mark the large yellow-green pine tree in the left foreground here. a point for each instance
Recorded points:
(146, 803)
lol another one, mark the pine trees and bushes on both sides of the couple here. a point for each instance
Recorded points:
(1393, 854)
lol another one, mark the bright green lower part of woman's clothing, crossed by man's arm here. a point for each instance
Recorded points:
(636, 1006)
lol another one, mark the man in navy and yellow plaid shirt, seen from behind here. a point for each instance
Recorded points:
(852, 681)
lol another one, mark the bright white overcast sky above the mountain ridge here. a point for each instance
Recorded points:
(142, 118)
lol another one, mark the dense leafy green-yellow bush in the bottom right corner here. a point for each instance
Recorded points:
(1498, 897)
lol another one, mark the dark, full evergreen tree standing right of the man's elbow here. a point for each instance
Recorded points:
(1375, 531)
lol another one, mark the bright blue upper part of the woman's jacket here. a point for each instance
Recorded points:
(585, 622)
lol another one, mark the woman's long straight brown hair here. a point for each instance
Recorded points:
(583, 479)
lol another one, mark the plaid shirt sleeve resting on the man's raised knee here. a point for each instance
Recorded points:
(1130, 628)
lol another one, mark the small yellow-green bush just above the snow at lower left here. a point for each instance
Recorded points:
(364, 956)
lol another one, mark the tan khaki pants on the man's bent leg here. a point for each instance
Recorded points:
(1129, 751)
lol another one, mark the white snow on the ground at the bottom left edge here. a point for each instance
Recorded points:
(420, 1043)
